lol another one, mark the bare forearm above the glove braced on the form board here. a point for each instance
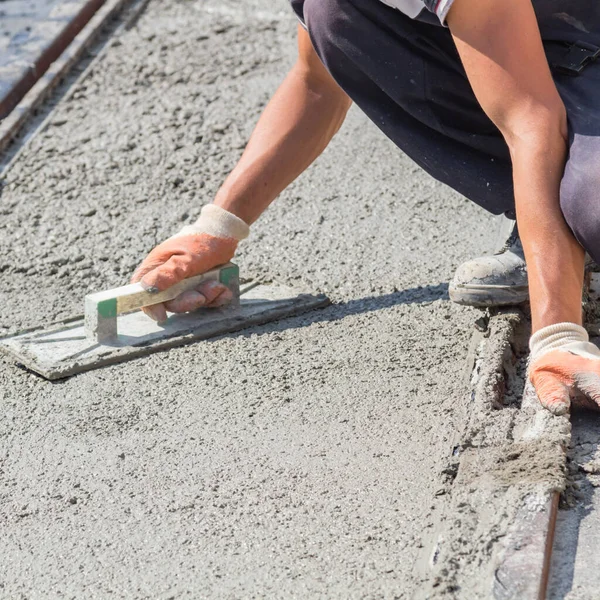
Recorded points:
(555, 260)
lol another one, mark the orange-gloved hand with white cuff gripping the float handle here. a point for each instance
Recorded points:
(211, 241)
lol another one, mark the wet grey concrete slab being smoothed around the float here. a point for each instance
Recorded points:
(299, 459)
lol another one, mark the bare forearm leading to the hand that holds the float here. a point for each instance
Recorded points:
(294, 129)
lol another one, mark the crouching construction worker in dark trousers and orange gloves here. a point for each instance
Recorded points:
(499, 100)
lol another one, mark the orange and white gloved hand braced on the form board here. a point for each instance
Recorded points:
(564, 365)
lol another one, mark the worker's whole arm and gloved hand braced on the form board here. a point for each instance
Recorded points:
(501, 49)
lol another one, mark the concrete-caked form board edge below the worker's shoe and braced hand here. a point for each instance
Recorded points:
(515, 552)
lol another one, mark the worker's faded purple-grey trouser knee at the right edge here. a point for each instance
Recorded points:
(580, 202)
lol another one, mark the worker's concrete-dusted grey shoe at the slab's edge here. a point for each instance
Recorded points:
(497, 280)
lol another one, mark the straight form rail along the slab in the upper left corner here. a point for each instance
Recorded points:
(72, 42)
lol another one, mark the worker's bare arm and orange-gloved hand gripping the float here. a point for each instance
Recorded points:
(295, 127)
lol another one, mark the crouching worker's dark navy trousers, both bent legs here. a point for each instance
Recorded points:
(408, 78)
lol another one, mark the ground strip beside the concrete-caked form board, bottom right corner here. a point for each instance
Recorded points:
(575, 574)
